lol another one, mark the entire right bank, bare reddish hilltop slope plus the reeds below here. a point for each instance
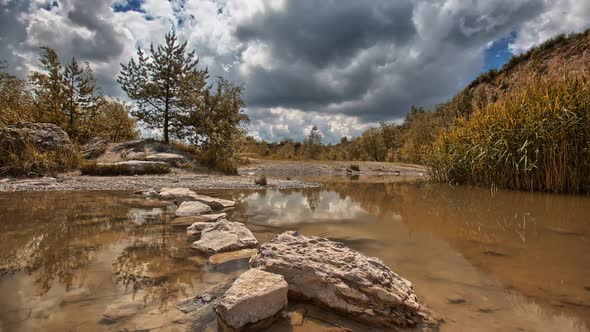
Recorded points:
(526, 126)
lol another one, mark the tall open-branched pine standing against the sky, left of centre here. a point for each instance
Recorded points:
(159, 82)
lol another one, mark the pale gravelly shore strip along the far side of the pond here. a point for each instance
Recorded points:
(281, 175)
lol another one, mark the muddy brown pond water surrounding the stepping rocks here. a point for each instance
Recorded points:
(483, 261)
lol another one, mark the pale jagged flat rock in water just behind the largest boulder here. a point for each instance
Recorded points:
(221, 236)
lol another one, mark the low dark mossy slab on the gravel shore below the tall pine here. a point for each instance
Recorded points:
(130, 167)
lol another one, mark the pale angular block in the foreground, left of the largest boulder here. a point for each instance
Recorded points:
(254, 297)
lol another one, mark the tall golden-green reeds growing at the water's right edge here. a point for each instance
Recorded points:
(535, 139)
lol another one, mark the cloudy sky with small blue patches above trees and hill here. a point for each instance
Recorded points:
(343, 65)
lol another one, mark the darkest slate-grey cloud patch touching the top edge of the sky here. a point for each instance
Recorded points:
(327, 32)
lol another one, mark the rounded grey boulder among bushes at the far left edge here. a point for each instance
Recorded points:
(43, 136)
